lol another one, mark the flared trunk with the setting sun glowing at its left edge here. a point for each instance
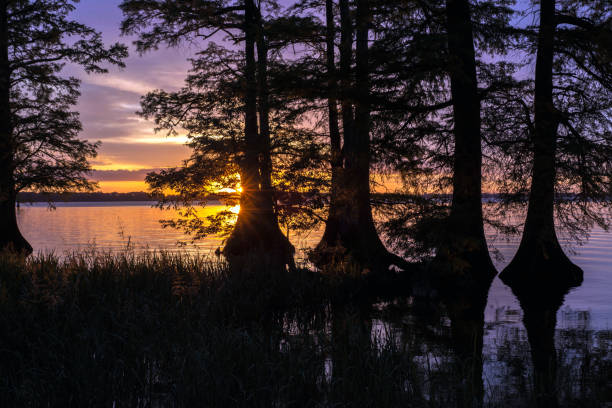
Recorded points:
(256, 232)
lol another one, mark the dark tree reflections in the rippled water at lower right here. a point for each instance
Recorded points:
(443, 352)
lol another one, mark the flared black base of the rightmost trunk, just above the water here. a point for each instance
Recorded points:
(538, 262)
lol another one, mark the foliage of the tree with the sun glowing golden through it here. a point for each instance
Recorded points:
(215, 109)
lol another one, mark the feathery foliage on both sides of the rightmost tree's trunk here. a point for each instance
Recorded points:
(581, 77)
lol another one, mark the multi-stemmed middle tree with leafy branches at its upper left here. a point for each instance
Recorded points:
(350, 236)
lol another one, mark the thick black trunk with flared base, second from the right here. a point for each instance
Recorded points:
(464, 248)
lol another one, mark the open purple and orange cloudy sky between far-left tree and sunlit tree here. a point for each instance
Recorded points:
(109, 103)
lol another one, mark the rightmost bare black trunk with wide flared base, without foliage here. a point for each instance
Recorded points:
(539, 251)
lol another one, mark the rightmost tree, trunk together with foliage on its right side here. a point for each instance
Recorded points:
(572, 147)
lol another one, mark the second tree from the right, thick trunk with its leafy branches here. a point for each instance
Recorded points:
(441, 53)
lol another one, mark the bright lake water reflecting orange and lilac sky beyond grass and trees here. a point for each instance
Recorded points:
(114, 225)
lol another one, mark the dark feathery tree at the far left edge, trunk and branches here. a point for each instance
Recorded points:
(39, 147)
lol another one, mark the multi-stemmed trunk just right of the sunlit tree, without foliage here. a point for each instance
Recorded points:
(352, 239)
